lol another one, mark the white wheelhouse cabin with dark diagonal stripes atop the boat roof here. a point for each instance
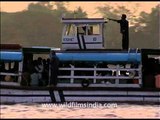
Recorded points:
(83, 33)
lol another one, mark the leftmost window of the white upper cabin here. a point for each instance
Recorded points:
(70, 30)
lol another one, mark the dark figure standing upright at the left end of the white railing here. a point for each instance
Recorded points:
(54, 69)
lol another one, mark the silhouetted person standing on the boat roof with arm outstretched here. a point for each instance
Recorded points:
(124, 29)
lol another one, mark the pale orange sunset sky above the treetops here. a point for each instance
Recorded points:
(89, 7)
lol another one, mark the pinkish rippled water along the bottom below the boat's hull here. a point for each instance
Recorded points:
(121, 110)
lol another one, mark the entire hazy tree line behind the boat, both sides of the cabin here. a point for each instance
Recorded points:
(41, 25)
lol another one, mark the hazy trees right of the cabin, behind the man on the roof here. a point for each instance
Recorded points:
(144, 30)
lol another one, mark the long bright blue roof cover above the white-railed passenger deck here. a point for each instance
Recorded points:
(100, 57)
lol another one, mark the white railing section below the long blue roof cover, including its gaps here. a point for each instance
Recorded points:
(113, 77)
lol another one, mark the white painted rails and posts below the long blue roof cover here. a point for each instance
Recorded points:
(117, 77)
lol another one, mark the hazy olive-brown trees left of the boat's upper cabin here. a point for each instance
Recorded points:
(39, 25)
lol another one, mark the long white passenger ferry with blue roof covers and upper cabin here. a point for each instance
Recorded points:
(86, 71)
